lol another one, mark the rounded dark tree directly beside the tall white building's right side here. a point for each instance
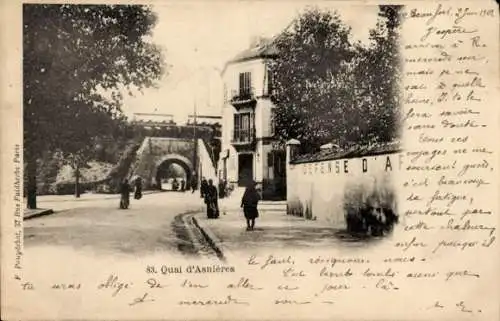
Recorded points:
(308, 76)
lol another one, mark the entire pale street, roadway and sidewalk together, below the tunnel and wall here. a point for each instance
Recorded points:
(173, 223)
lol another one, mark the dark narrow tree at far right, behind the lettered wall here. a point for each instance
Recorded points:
(378, 76)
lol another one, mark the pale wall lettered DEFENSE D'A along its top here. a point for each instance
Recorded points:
(334, 186)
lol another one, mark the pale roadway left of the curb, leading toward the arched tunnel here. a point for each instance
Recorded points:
(151, 225)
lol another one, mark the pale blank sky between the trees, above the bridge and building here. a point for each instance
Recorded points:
(198, 38)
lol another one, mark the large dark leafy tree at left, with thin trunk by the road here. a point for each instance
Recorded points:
(77, 61)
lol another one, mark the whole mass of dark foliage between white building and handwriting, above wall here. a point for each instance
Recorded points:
(329, 89)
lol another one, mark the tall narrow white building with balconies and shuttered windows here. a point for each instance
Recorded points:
(248, 151)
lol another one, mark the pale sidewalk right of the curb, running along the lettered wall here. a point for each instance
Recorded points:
(273, 230)
